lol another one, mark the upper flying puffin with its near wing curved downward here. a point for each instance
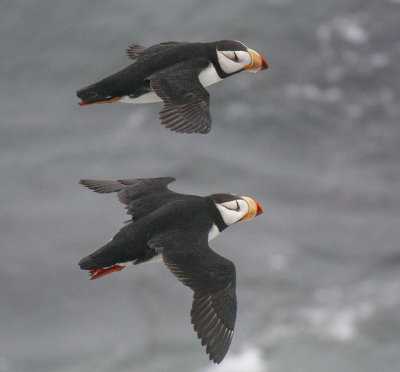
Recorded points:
(177, 74)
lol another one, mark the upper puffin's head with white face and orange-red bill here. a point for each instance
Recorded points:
(234, 56)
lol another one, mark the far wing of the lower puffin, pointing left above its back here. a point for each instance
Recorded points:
(141, 195)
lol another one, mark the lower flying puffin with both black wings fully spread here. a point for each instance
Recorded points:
(176, 228)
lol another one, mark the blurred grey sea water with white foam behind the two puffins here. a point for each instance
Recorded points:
(315, 140)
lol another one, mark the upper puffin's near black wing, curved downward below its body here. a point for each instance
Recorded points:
(186, 102)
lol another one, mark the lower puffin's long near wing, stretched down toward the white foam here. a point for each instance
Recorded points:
(213, 280)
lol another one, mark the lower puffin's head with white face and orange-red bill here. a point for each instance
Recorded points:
(234, 208)
